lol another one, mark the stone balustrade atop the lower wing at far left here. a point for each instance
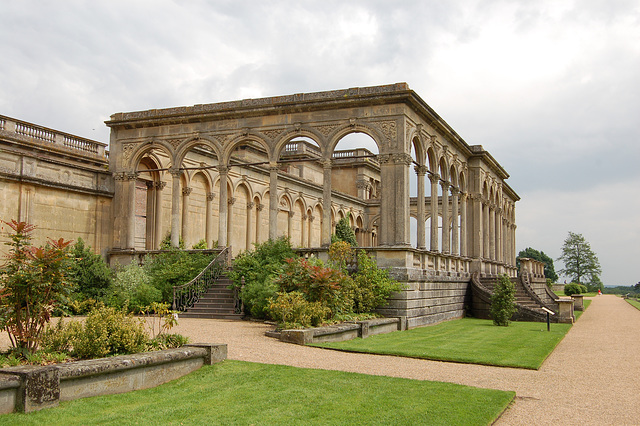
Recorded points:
(53, 138)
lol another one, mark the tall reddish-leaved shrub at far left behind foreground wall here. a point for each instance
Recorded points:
(32, 283)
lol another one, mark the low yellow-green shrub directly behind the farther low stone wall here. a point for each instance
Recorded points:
(292, 310)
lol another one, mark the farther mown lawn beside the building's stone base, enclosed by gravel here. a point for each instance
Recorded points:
(467, 340)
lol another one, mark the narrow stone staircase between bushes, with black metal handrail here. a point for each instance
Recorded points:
(217, 303)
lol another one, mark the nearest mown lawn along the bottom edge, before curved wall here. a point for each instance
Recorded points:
(236, 392)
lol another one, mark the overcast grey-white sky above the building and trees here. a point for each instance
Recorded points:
(550, 88)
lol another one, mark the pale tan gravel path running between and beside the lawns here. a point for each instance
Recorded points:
(593, 376)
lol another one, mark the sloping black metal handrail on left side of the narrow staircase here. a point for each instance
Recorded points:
(186, 295)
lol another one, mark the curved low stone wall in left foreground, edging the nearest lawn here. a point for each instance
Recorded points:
(32, 388)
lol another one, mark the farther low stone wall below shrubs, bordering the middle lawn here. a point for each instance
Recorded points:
(341, 332)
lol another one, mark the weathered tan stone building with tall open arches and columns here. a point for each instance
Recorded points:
(420, 199)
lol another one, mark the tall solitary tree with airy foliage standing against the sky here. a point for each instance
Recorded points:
(580, 262)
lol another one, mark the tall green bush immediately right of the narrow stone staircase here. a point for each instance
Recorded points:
(260, 267)
